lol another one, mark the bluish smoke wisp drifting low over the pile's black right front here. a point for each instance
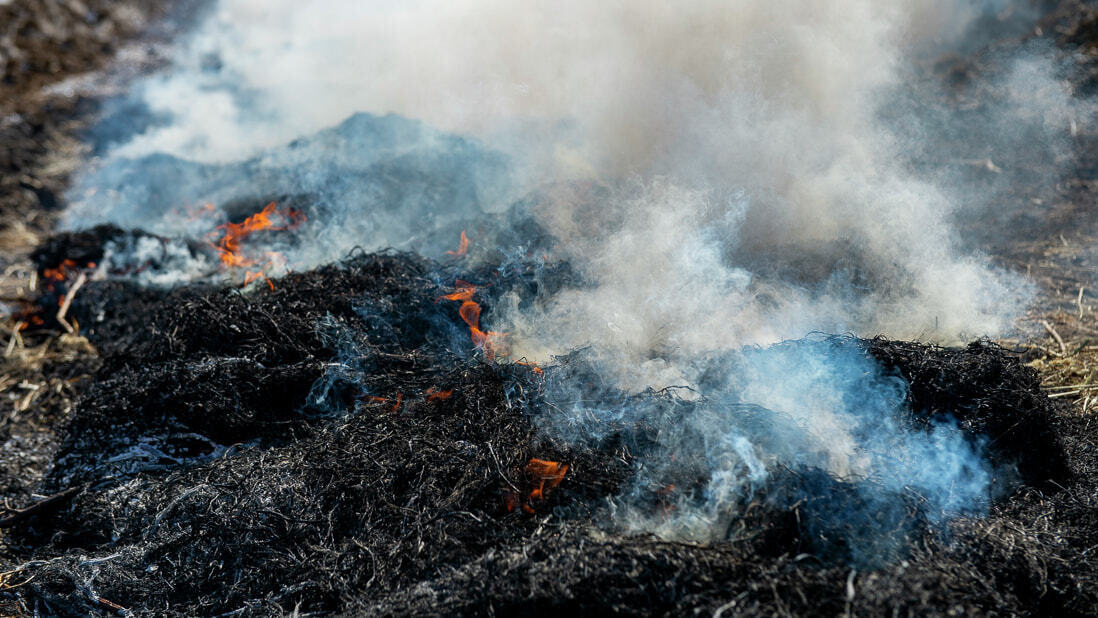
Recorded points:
(817, 419)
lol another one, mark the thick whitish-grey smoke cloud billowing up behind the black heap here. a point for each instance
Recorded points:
(753, 182)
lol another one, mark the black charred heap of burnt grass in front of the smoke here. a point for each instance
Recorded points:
(337, 443)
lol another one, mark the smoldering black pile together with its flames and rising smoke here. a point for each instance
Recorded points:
(355, 437)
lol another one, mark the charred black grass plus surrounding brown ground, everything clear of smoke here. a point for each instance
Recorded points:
(196, 470)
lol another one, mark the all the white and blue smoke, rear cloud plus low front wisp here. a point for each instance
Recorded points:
(718, 176)
